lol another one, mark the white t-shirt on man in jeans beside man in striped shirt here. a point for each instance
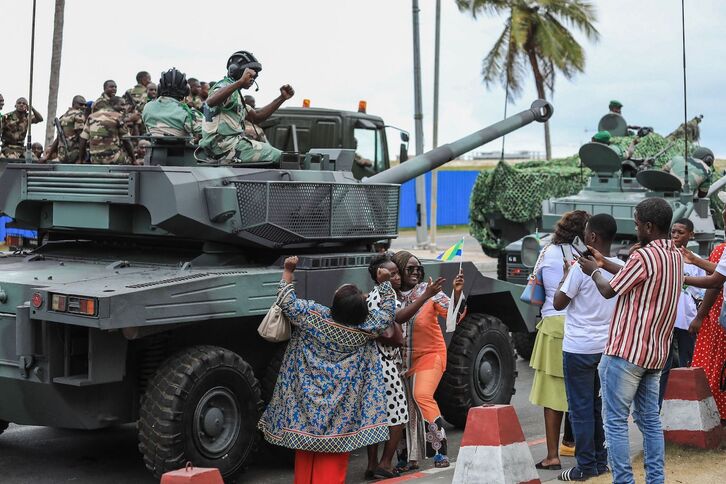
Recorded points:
(588, 315)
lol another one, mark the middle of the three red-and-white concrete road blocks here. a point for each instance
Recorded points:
(493, 449)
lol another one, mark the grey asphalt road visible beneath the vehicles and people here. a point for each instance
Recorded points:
(42, 455)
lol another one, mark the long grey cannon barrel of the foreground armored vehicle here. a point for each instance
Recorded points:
(539, 111)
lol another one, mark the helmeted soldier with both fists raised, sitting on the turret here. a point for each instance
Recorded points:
(223, 132)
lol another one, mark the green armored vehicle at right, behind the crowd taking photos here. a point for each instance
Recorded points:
(611, 189)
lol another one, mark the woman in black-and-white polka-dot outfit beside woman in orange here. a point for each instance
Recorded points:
(389, 352)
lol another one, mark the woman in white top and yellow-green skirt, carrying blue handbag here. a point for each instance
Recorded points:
(548, 387)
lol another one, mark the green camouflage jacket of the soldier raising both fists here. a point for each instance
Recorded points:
(223, 126)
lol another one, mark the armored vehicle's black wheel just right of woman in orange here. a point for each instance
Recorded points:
(480, 368)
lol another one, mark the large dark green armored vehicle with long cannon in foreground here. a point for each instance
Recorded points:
(142, 302)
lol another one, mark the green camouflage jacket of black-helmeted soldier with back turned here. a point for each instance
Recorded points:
(165, 116)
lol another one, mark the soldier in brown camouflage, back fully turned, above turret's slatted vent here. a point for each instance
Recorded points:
(103, 134)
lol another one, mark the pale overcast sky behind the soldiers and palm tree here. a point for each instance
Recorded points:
(337, 52)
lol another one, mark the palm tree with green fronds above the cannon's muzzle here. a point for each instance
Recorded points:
(535, 37)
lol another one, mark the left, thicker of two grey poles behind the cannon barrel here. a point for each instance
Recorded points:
(421, 223)
